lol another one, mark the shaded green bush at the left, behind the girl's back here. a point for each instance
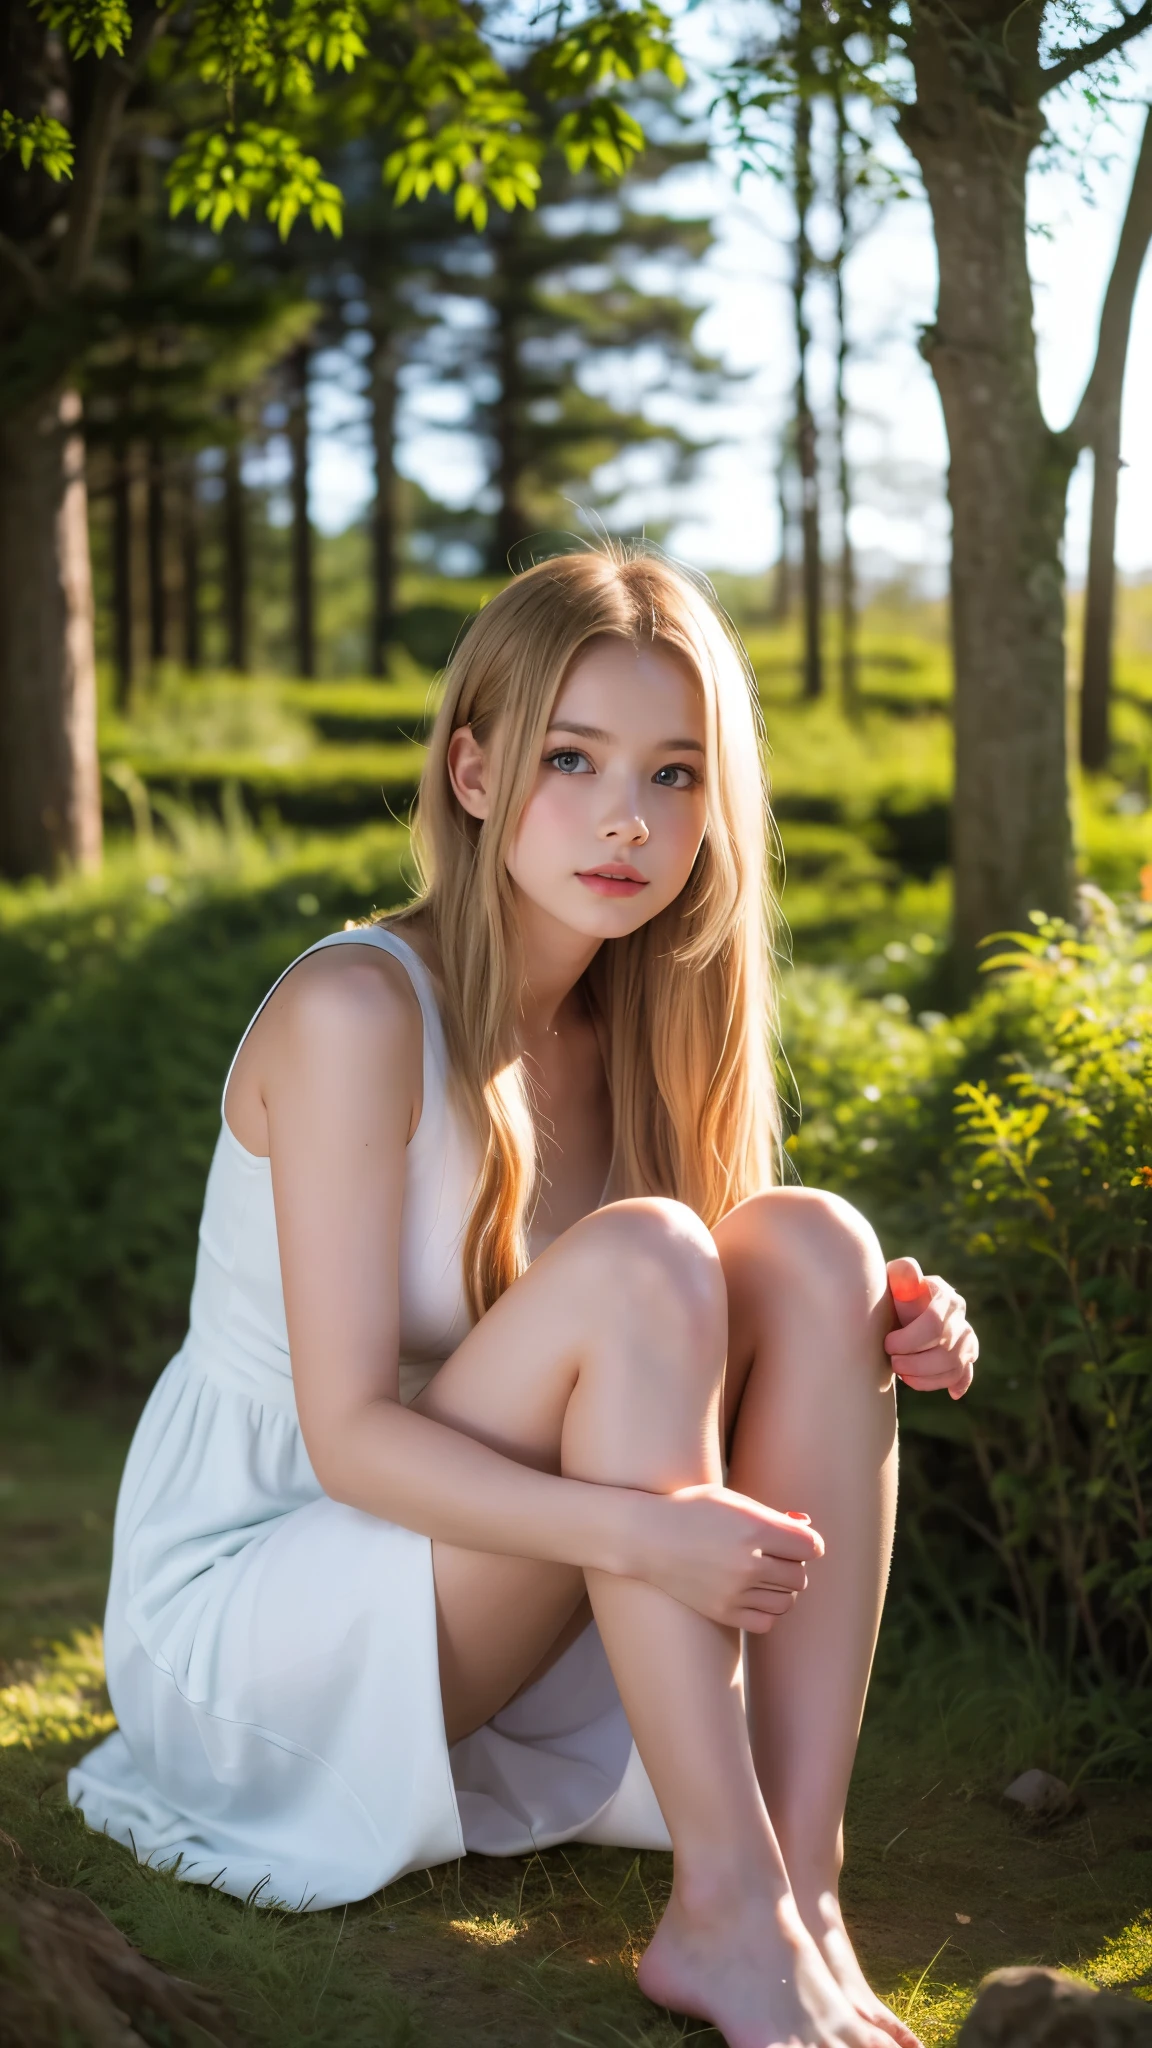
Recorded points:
(122, 1007)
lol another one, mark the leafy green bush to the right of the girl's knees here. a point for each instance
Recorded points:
(1014, 1146)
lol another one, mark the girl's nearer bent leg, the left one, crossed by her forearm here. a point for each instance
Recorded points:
(608, 1359)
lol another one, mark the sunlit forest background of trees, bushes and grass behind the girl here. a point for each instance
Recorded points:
(210, 734)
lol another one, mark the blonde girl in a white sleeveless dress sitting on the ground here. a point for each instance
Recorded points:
(518, 1398)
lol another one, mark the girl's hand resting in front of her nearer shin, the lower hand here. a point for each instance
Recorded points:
(725, 1555)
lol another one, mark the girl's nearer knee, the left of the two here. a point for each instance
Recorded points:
(659, 1263)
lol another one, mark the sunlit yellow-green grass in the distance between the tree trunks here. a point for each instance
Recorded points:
(862, 806)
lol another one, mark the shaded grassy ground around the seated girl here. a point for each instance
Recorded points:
(944, 1883)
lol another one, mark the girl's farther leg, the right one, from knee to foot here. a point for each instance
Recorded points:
(813, 1420)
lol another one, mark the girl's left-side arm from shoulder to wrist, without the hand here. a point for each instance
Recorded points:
(337, 1072)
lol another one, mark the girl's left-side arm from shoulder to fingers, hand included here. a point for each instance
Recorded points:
(333, 1072)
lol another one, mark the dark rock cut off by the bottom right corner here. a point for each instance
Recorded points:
(1048, 2010)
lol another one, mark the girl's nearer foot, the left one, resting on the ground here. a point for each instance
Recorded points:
(755, 1973)
